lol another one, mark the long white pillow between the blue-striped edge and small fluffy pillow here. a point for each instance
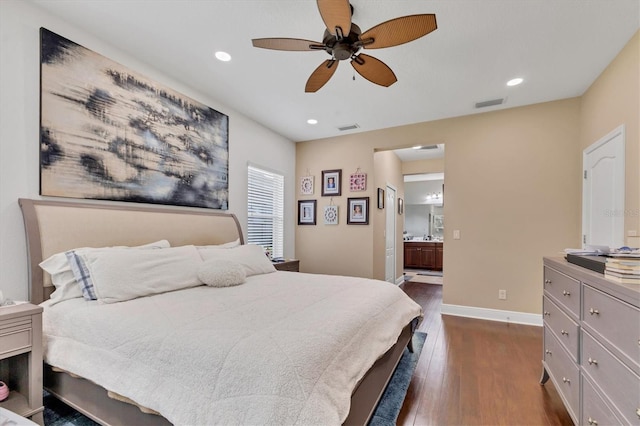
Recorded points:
(122, 274)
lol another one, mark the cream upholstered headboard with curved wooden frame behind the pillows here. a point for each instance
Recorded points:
(56, 226)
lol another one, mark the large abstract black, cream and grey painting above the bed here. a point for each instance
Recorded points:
(109, 133)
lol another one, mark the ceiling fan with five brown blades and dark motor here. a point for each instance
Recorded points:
(344, 39)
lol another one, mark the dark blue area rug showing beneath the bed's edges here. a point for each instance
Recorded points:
(56, 413)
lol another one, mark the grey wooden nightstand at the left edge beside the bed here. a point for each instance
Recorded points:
(21, 359)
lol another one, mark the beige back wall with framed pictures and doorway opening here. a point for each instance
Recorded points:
(528, 156)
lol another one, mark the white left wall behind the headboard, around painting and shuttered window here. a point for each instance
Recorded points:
(19, 134)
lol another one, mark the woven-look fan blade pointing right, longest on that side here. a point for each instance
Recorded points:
(399, 31)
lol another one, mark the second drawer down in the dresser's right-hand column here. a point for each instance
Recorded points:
(616, 380)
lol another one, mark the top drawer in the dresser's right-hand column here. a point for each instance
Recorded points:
(614, 321)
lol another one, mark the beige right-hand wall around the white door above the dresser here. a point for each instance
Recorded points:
(614, 99)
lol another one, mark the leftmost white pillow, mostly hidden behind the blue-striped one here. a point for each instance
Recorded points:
(63, 278)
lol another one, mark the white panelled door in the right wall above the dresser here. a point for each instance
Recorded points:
(603, 191)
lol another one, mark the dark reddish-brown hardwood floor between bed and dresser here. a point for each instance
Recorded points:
(477, 372)
